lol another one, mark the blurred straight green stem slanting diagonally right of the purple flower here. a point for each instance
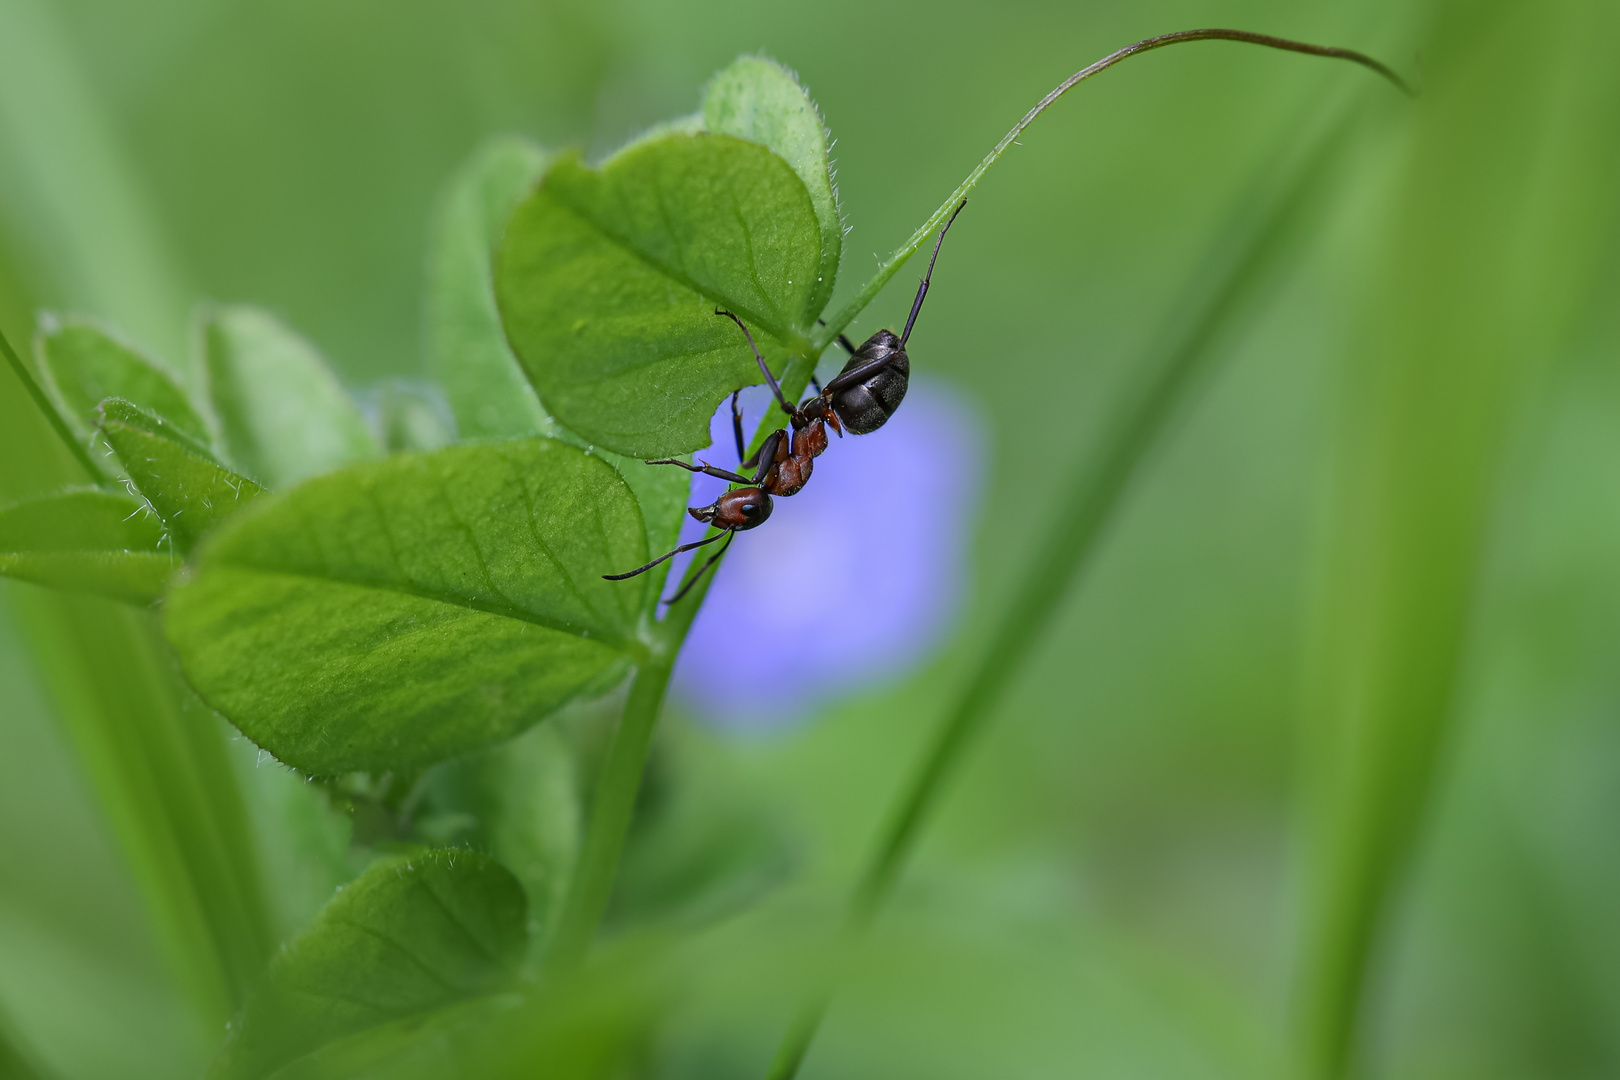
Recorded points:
(1242, 260)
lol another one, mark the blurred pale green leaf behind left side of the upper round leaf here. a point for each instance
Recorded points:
(469, 354)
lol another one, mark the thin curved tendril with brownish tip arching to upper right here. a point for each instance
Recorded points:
(829, 333)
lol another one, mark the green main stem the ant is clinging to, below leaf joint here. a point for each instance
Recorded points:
(621, 778)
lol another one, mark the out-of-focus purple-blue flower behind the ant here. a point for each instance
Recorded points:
(851, 582)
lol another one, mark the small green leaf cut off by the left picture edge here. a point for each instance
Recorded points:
(87, 542)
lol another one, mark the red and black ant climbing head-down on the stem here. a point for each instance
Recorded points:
(861, 399)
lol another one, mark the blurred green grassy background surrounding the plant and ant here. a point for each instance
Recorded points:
(1407, 469)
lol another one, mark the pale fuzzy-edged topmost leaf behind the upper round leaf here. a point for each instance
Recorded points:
(762, 101)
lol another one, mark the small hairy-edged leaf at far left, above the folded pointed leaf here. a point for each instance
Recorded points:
(85, 364)
